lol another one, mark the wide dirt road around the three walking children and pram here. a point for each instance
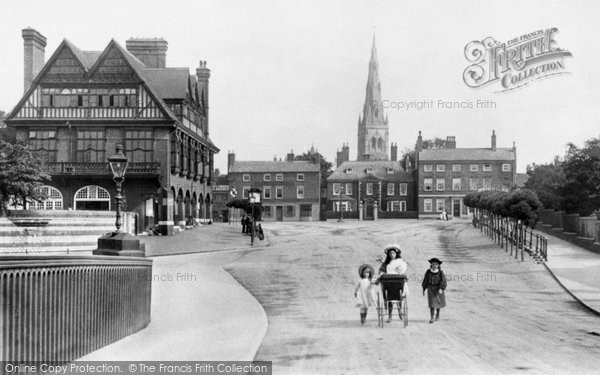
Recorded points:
(503, 316)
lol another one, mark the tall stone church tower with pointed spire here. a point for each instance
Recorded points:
(373, 132)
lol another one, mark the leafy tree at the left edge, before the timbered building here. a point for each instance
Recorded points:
(20, 174)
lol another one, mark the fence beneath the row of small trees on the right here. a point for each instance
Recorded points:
(511, 233)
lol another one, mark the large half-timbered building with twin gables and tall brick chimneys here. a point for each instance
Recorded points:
(79, 105)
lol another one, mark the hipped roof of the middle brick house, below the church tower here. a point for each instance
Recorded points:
(369, 170)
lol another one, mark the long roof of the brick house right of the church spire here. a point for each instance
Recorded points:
(467, 154)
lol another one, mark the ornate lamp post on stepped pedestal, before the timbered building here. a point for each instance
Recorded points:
(119, 243)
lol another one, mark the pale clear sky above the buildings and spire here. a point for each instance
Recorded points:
(287, 75)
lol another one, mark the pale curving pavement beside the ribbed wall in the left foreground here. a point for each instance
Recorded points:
(199, 312)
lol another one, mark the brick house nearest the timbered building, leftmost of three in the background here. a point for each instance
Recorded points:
(290, 189)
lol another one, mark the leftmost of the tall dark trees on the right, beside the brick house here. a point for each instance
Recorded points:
(547, 180)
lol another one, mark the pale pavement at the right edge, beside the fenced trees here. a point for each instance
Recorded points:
(576, 269)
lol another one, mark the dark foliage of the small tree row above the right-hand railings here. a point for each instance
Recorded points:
(518, 204)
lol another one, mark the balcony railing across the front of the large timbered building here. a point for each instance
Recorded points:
(68, 168)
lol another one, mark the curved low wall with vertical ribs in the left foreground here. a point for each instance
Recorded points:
(59, 308)
